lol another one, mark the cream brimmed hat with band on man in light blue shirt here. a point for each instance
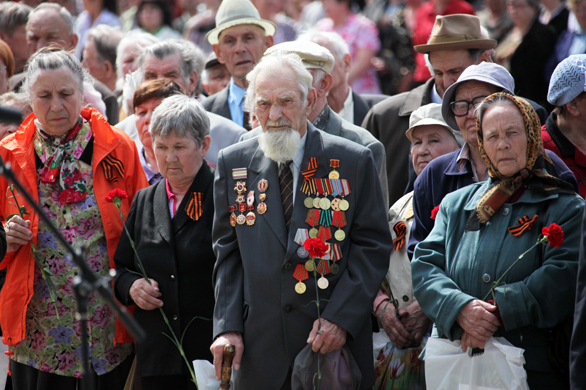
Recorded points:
(236, 12)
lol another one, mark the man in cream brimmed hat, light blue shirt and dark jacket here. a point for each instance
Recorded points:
(239, 41)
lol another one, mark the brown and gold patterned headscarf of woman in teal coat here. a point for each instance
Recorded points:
(532, 177)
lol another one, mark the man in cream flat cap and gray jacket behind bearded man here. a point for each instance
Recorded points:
(319, 61)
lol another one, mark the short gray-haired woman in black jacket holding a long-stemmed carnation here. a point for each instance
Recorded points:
(171, 224)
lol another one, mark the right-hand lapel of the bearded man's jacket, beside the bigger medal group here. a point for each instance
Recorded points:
(313, 148)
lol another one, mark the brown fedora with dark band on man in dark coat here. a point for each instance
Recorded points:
(455, 32)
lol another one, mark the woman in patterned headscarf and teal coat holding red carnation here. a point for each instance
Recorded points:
(479, 232)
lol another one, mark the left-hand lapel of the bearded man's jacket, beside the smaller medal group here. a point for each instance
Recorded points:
(262, 167)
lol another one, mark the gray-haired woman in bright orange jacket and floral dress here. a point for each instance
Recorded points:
(68, 158)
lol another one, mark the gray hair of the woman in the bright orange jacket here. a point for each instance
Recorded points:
(50, 59)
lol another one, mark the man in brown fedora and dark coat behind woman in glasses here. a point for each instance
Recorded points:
(455, 43)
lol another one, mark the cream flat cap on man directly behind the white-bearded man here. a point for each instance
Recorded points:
(312, 55)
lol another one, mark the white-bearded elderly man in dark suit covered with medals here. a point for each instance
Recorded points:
(263, 296)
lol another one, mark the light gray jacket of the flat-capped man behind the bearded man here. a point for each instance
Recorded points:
(342, 128)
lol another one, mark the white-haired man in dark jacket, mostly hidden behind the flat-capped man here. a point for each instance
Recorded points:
(341, 99)
